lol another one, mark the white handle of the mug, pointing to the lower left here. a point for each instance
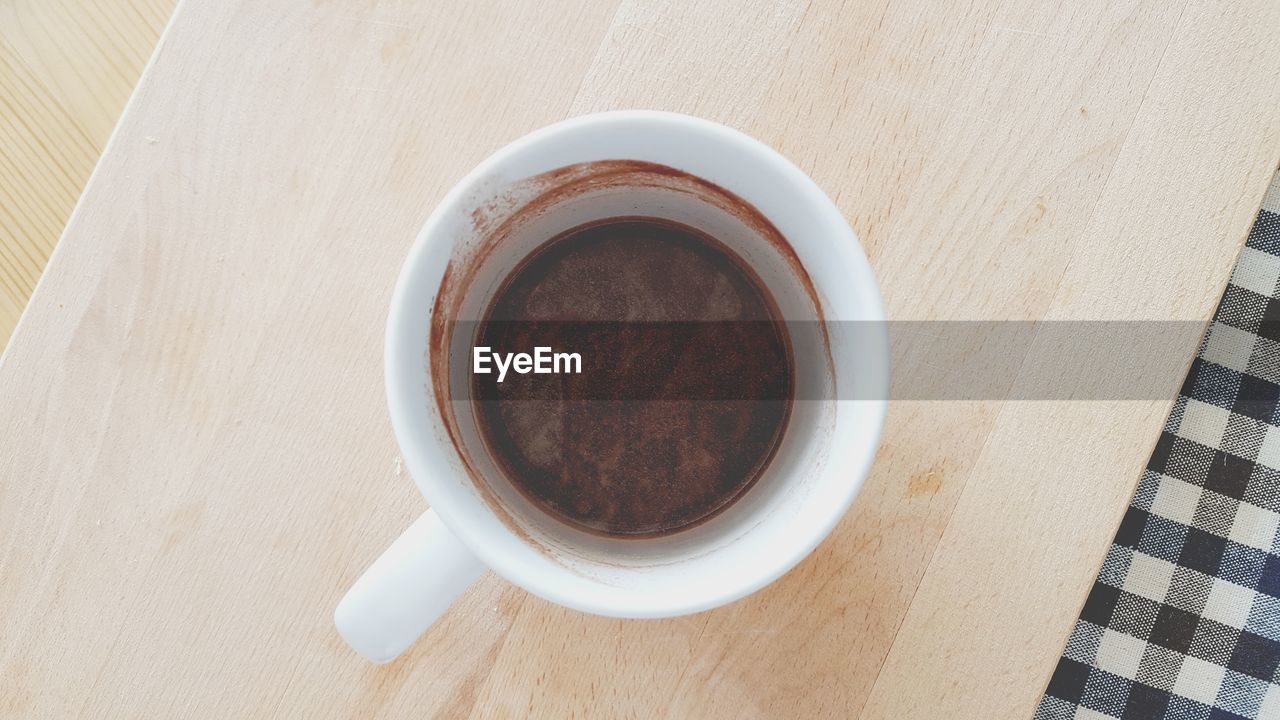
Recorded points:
(406, 590)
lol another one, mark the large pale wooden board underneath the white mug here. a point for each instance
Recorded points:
(195, 459)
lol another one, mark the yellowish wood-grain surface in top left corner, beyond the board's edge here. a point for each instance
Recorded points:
(67, 69)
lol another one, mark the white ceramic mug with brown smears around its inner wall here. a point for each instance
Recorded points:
(477, 522)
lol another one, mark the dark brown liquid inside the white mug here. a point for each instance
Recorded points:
(687, 379)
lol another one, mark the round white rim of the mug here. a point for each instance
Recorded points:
(401, 363)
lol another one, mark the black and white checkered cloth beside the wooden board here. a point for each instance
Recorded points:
(1185, 619)
